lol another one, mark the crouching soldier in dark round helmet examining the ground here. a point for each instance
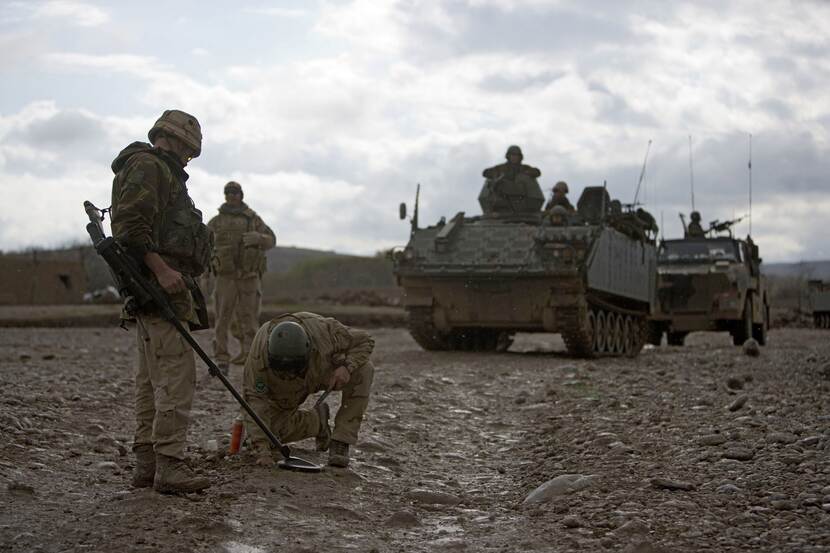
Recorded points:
(293, 356)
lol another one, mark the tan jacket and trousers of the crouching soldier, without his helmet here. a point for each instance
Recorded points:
(276, 399)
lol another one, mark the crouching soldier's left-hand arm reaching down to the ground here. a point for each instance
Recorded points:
(257, 392)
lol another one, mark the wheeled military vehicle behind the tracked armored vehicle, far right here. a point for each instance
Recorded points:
(713, 283)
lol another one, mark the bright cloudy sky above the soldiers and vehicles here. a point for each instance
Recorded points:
(329, 113)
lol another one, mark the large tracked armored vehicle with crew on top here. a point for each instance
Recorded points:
(471, 283)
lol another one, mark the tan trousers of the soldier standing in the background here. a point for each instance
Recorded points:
(241, 296)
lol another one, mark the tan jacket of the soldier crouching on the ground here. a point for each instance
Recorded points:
(274, 398)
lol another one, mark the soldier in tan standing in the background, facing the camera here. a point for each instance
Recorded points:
(238, 263)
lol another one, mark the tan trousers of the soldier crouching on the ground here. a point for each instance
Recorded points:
(295, 425)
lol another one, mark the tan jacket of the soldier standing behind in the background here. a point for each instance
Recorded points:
(230, 256)
